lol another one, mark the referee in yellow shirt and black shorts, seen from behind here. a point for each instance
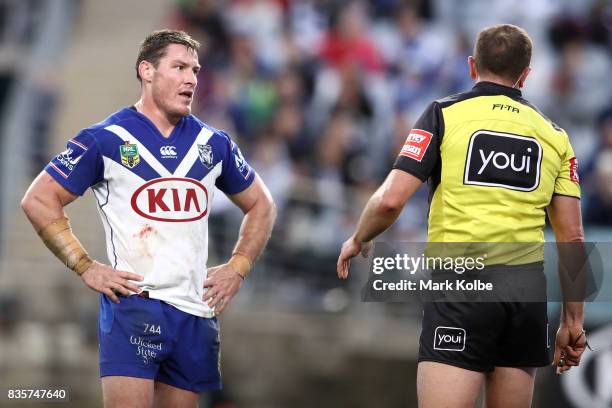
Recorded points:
(495, 165)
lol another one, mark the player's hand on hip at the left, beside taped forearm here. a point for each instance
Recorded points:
(109, 281)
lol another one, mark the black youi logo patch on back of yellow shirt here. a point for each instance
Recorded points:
(503, 160)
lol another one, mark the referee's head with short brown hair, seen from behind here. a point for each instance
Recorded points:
(503, 50)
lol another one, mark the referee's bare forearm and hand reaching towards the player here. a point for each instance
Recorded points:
(380, 213)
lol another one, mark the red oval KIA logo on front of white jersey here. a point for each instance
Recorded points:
(171, 199)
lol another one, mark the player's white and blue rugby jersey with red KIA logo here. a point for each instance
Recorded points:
(154, 196)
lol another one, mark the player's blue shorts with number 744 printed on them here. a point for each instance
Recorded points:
(147, 338)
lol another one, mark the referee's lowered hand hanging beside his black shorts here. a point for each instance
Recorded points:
(570, 344)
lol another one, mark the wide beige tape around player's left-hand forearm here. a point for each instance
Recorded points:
(58, 237)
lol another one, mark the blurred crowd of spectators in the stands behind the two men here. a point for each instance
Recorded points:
(320, 95)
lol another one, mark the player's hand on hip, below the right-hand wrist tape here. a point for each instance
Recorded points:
(222, 284)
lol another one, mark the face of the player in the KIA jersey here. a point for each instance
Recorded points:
(174, 80)
